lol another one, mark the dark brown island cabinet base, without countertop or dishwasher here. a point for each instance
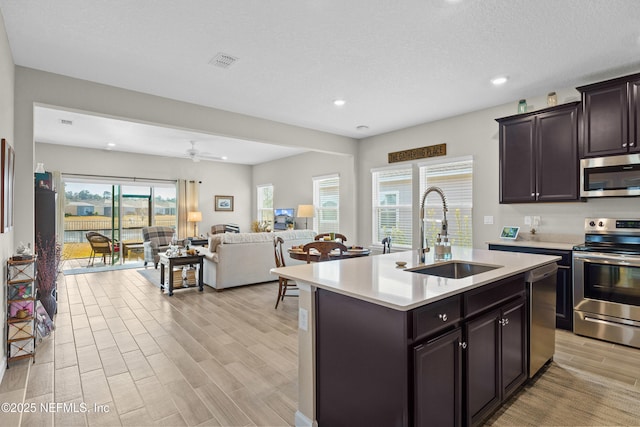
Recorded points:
(449, 363)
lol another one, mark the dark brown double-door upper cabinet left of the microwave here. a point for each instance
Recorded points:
(539, 156)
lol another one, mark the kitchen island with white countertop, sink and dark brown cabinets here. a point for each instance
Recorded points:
(379, 345)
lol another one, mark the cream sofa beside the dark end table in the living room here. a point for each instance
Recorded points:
(236, 259)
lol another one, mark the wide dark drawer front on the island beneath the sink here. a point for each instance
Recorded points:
(486, 297)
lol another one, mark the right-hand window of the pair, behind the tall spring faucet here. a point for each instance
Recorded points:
(455, 178)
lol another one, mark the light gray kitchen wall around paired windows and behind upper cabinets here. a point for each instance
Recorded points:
(476, 134)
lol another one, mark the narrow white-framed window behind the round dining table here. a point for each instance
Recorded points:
(326, 199)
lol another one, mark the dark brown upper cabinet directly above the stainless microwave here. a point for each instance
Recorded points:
(611, 117)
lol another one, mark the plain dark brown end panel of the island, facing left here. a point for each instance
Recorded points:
(362, 358)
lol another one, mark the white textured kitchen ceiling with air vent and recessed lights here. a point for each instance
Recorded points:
(396, 63)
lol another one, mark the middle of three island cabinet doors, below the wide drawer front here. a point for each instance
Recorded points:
(482, 366)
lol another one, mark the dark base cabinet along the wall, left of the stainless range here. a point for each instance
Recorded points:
(564, 281)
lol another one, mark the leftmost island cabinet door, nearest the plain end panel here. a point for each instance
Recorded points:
(438, 381)
